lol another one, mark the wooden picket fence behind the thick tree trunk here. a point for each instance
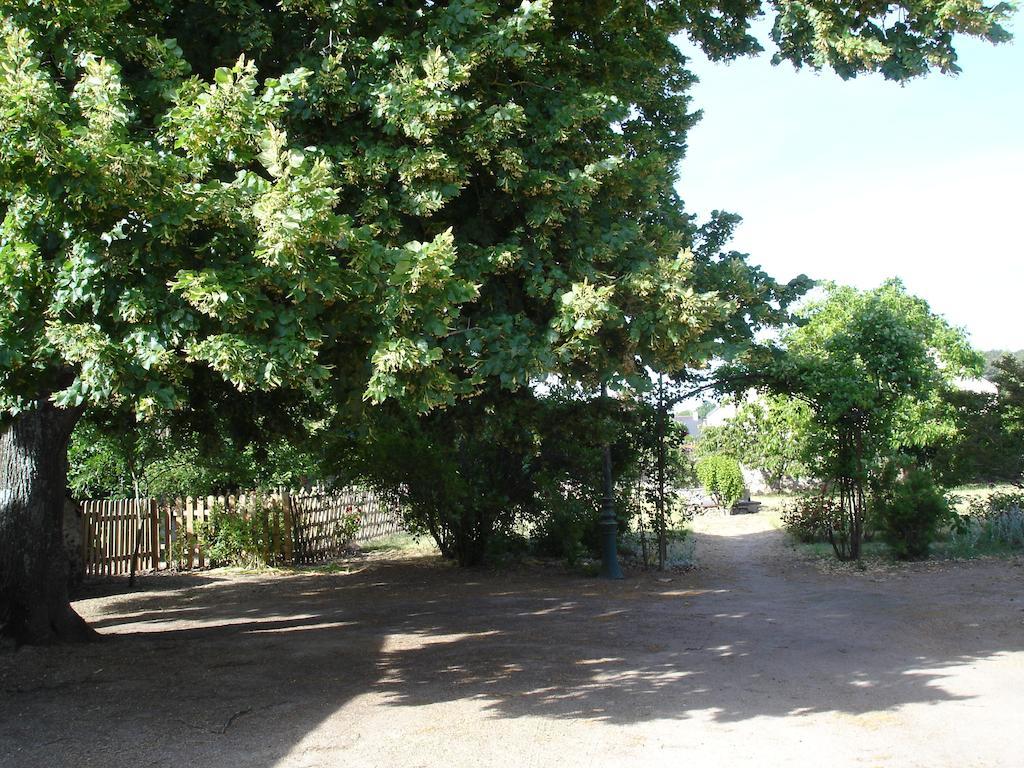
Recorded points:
(297, 528)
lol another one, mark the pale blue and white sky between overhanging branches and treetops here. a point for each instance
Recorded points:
(861, 181)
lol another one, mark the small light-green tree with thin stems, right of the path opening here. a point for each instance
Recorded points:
(872, 367)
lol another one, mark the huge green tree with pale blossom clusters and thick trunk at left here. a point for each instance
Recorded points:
(357, 199)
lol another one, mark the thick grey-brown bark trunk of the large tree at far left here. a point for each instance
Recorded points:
(34, 605)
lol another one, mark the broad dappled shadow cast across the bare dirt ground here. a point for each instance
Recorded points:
(238, 671)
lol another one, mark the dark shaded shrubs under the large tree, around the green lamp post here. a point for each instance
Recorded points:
(479, 476)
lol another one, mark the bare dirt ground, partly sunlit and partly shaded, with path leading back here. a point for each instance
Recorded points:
(755, 659)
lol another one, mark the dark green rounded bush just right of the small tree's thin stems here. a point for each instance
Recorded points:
(911, 516)
